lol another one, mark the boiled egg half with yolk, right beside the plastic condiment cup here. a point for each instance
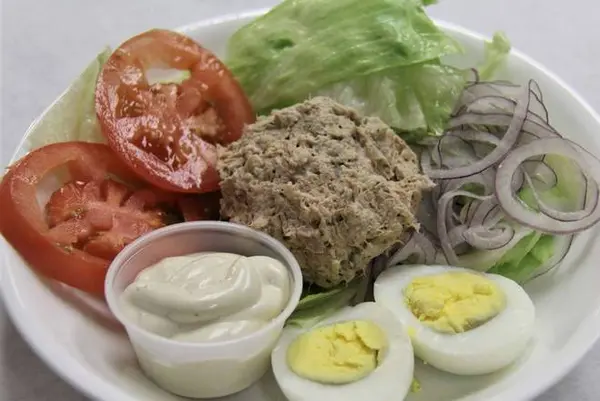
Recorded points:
(360, 353)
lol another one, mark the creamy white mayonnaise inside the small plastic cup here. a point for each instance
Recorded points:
(207, 297)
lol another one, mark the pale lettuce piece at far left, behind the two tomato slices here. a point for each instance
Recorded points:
(73, 116)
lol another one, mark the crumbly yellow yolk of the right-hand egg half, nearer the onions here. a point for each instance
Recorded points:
(454, 302)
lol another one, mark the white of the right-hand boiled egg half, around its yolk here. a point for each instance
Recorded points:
(484, 349)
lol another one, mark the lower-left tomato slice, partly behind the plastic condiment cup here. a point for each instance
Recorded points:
(88, 220)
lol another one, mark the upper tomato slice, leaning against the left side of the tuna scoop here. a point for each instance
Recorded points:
(167, 132)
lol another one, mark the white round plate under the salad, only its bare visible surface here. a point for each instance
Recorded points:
(90, 351)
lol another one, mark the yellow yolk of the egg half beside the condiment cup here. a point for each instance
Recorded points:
(337, 354)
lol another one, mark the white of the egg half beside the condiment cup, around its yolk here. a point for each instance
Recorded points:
(391, 380)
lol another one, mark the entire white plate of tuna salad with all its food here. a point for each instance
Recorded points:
(326, 200)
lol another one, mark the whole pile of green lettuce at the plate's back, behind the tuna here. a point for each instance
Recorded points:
(382, 57)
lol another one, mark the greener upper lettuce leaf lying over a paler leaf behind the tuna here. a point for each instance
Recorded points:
(303, 46)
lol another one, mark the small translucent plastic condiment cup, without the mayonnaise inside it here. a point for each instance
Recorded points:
(200, 370)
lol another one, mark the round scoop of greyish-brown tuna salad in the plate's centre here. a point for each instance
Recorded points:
(336, 188)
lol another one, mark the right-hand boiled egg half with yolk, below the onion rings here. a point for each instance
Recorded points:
(460, 321)
